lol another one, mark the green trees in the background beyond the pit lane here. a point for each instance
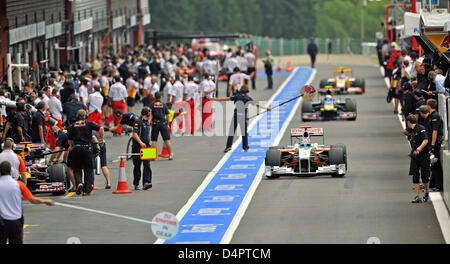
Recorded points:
(280, 18)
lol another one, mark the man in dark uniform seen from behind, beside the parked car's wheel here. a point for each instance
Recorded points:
(80, 145)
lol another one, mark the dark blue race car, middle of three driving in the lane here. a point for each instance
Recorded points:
(329, 108)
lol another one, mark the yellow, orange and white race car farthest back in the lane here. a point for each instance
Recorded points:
(342, 83)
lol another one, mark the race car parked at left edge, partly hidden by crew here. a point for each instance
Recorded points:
(40, 177)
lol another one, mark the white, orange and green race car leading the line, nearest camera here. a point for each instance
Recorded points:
(304, 158)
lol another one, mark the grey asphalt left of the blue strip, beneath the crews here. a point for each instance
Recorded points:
(173, 184)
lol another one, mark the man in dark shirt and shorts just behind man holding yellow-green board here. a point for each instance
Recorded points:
(160, 115)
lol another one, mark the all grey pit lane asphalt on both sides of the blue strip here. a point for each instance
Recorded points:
(373, 200)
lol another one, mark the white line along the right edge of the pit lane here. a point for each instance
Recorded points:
(436, 198)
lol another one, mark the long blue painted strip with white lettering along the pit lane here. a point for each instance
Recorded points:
(206, 221)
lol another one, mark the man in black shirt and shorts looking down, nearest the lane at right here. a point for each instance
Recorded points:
(420, 156)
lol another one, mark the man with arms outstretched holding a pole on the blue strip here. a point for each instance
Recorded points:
(241, 101)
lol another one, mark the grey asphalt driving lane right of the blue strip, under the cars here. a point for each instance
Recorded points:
(373, 200)
